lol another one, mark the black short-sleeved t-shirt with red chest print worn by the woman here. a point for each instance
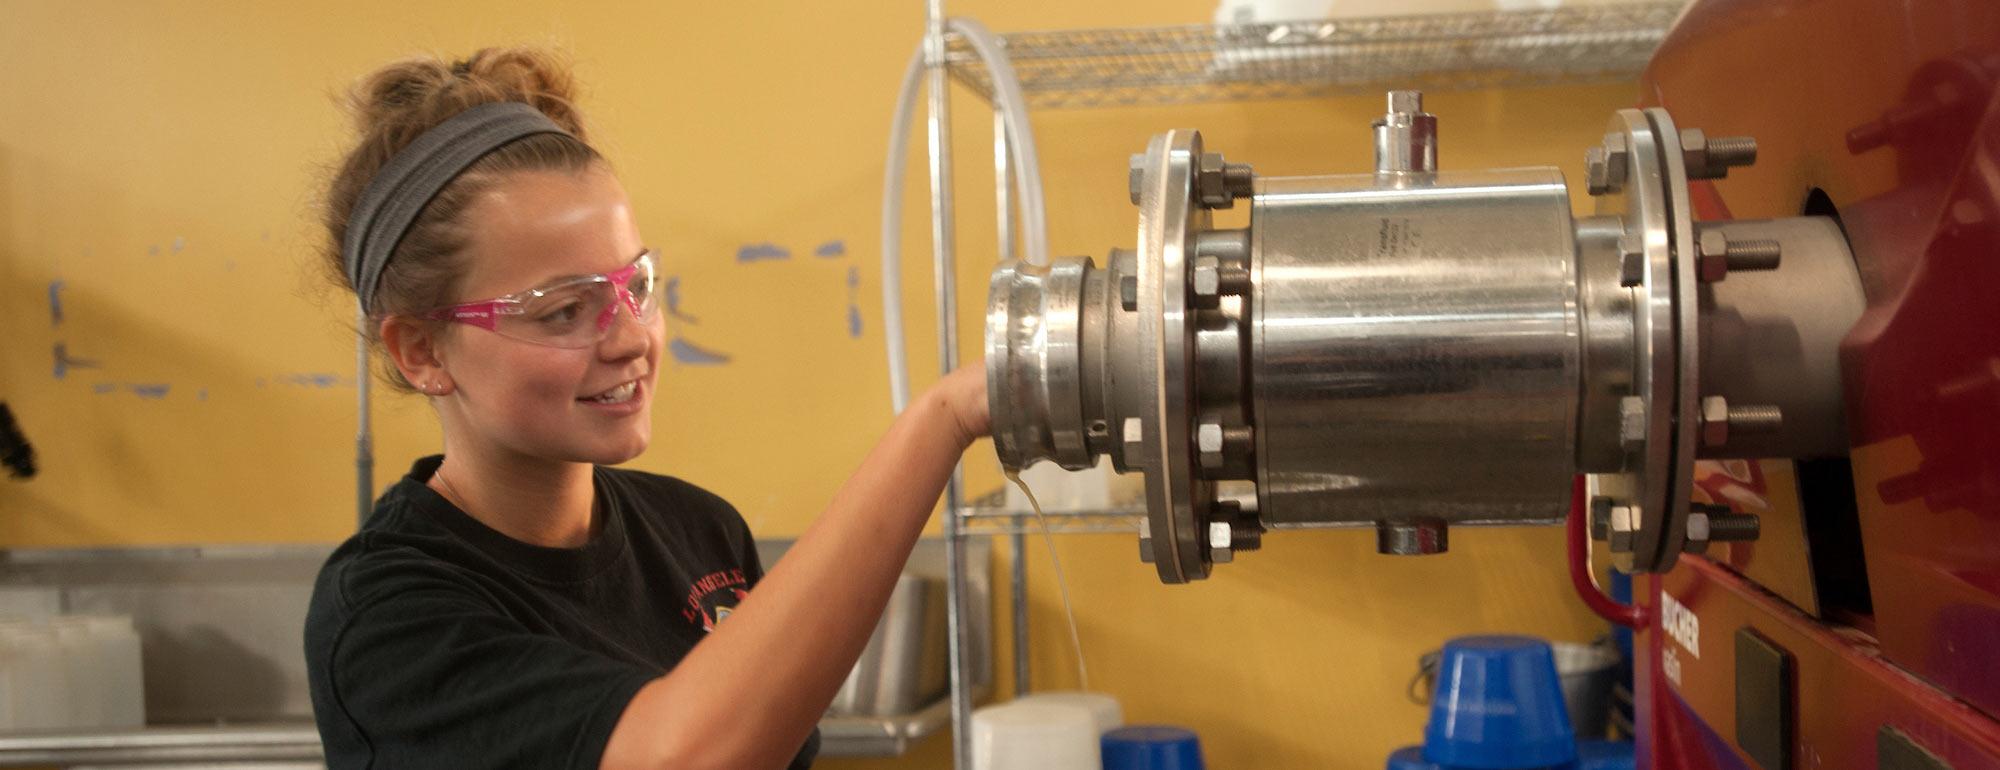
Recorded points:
(435, 641)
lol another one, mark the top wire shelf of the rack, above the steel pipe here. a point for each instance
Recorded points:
(1179, 65)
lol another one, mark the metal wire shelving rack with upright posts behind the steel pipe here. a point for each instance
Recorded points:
(1183, 65)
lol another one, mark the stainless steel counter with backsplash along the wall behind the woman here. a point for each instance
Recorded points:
(223, 639)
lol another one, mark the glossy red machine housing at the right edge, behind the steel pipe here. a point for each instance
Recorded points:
(1885, 115)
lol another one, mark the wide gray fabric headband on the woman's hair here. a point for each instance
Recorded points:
(415, 175)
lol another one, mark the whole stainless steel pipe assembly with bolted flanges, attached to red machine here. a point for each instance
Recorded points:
(1419, 349)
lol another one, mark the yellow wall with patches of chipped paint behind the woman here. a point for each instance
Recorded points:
(159, 161)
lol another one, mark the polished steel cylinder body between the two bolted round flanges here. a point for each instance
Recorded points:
(1415, 351)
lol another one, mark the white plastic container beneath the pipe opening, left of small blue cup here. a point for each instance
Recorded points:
(1035, 737)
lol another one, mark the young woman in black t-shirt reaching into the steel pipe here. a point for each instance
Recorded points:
(517, 601)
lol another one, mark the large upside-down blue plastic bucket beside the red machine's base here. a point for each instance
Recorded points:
(1499, 707)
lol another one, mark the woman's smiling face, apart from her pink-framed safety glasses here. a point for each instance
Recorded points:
(523, 399)
